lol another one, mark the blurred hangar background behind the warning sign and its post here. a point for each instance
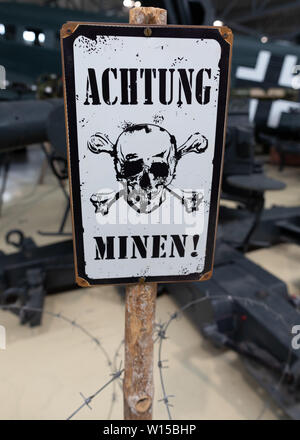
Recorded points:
(227, 358)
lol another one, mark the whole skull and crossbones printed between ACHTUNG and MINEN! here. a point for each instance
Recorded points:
(145, 159)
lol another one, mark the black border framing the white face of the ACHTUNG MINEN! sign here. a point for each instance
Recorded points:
(91, 31)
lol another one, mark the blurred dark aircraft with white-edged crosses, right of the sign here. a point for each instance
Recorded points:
(269, 73)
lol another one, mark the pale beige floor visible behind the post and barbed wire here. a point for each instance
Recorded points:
(44, 369)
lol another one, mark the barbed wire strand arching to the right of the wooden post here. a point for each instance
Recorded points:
(161, 335)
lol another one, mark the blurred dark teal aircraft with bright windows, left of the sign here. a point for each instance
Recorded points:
(30, 43)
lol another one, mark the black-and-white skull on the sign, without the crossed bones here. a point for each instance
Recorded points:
(145, 163)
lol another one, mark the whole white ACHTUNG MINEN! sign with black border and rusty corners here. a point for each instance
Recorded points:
(145, 118)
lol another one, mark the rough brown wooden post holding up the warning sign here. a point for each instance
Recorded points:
(140, 305)
